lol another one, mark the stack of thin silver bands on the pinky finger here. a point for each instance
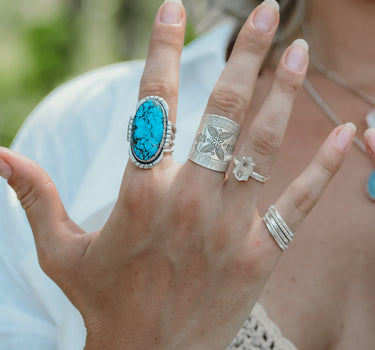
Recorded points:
(278, 228)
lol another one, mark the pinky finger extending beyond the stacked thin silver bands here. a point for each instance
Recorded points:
(304, 192)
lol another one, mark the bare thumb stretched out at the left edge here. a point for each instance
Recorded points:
(39, 198)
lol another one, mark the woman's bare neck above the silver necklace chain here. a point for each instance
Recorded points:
(343, 36)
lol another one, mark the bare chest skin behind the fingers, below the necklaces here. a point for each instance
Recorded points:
(322, 292)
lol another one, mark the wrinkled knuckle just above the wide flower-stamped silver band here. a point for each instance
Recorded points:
(228, 101)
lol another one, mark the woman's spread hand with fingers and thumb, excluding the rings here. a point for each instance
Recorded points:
(184, 254)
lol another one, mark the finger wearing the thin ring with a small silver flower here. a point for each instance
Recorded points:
(268, 129)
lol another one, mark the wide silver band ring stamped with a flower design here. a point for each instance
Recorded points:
(215, 142)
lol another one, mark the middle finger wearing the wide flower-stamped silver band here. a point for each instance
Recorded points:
(232, 94)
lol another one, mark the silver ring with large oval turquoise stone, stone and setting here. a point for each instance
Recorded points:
(150, 133)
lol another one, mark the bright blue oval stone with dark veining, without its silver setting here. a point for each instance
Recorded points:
(148, 131)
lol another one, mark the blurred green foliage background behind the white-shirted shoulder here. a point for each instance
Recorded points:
(47, 42)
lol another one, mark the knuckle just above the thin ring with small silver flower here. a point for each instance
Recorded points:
(265, 141)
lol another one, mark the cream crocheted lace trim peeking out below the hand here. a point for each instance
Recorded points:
(260, 333)
